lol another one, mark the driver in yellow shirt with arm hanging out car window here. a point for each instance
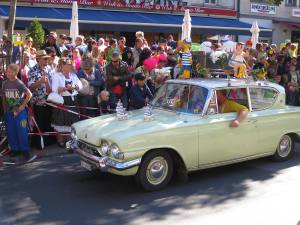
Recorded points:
(227, 106)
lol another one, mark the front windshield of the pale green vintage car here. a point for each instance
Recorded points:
(181, 98)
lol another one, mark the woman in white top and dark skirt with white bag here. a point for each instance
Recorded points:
(67, 84)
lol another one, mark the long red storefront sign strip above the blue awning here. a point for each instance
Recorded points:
(142, 6)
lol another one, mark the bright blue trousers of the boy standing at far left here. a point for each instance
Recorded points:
(17, 131)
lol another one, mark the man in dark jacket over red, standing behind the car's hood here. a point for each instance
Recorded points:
(117, 76)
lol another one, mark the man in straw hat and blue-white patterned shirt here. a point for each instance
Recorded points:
(39, 85)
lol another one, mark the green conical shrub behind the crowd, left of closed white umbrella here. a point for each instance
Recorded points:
(37, 33)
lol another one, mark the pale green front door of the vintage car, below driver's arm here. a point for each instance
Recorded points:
(218, 142)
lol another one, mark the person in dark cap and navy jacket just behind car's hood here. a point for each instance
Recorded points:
(140, 94)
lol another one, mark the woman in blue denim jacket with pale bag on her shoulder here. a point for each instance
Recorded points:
(93, 82)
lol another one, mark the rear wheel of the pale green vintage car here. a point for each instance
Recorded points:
(285, 148)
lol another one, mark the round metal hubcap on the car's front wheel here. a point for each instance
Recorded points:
(157, 170)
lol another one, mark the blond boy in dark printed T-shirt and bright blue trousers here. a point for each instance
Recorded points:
(15, 98)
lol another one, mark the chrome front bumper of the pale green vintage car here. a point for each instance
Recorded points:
(120, 166)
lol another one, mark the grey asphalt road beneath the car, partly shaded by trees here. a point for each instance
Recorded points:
(56, 190)
